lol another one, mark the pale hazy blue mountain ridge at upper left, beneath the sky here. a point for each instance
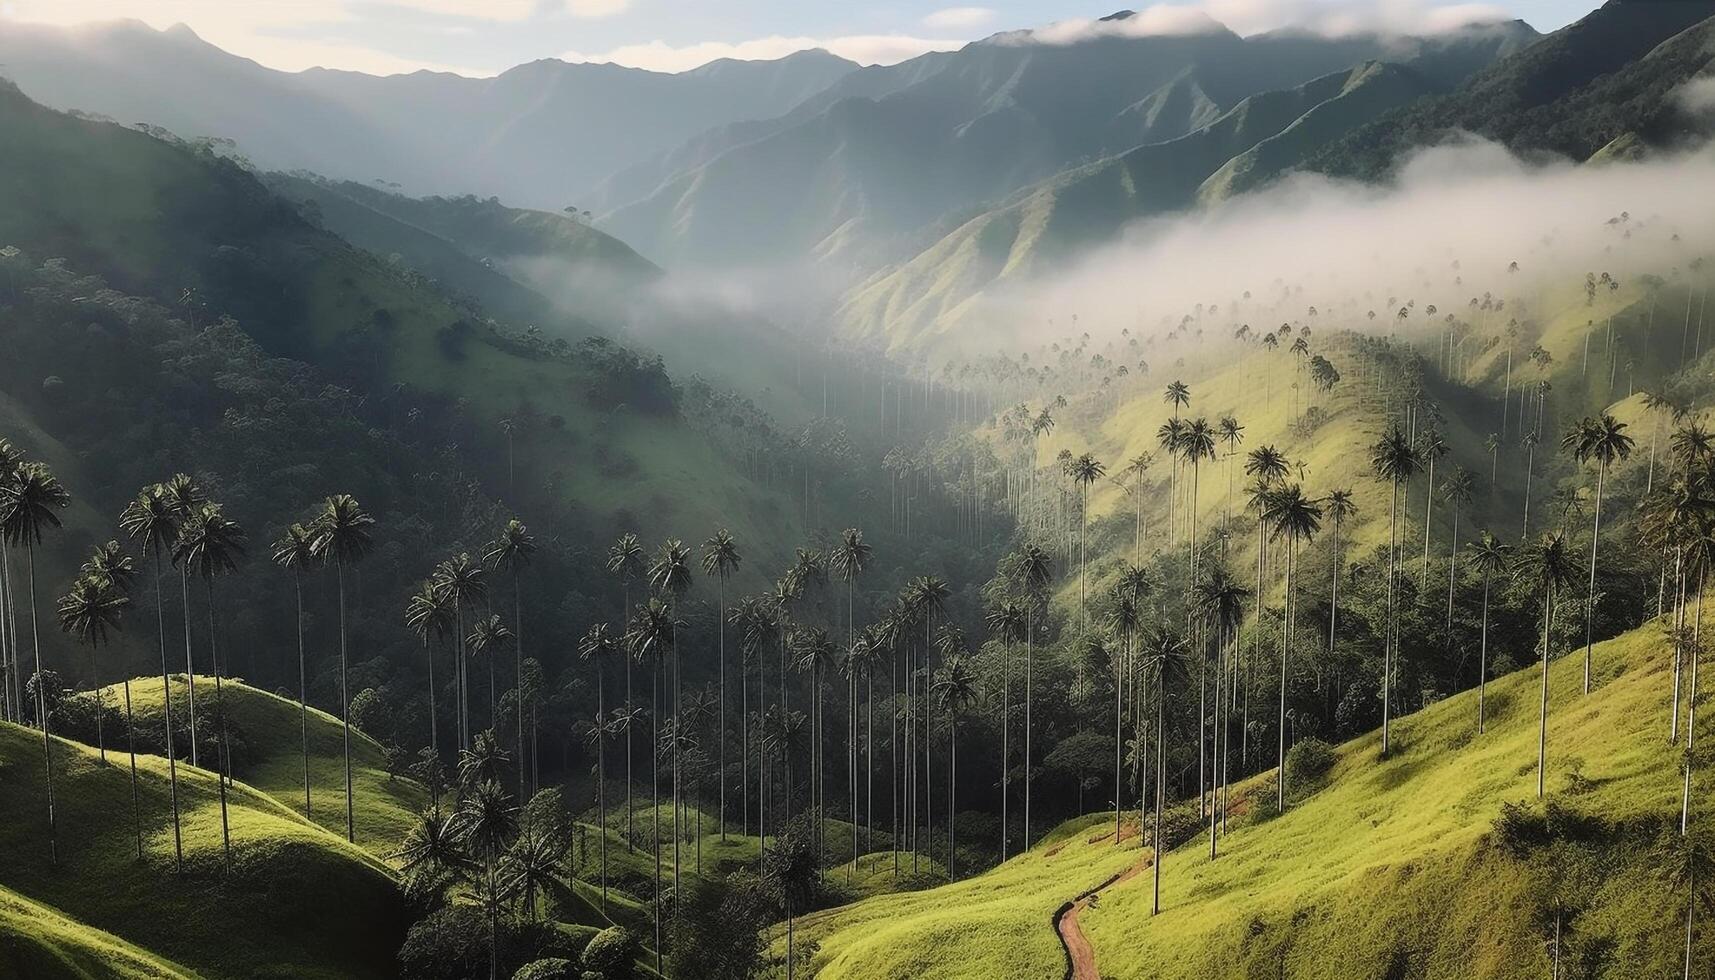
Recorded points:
(539, 135)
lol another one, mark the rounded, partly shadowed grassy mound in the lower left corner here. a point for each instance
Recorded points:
(298, 902)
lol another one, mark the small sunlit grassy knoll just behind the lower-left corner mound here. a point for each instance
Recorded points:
(272, 761)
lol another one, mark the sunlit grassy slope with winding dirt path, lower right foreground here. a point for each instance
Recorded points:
(1388, 871)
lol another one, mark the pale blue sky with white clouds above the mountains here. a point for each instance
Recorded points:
(488, 37)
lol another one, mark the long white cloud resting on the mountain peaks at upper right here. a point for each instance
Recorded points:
(1332, 18)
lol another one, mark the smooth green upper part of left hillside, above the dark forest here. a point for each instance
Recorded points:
(160, 219)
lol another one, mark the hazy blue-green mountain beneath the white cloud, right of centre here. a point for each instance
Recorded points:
(886, 152)
